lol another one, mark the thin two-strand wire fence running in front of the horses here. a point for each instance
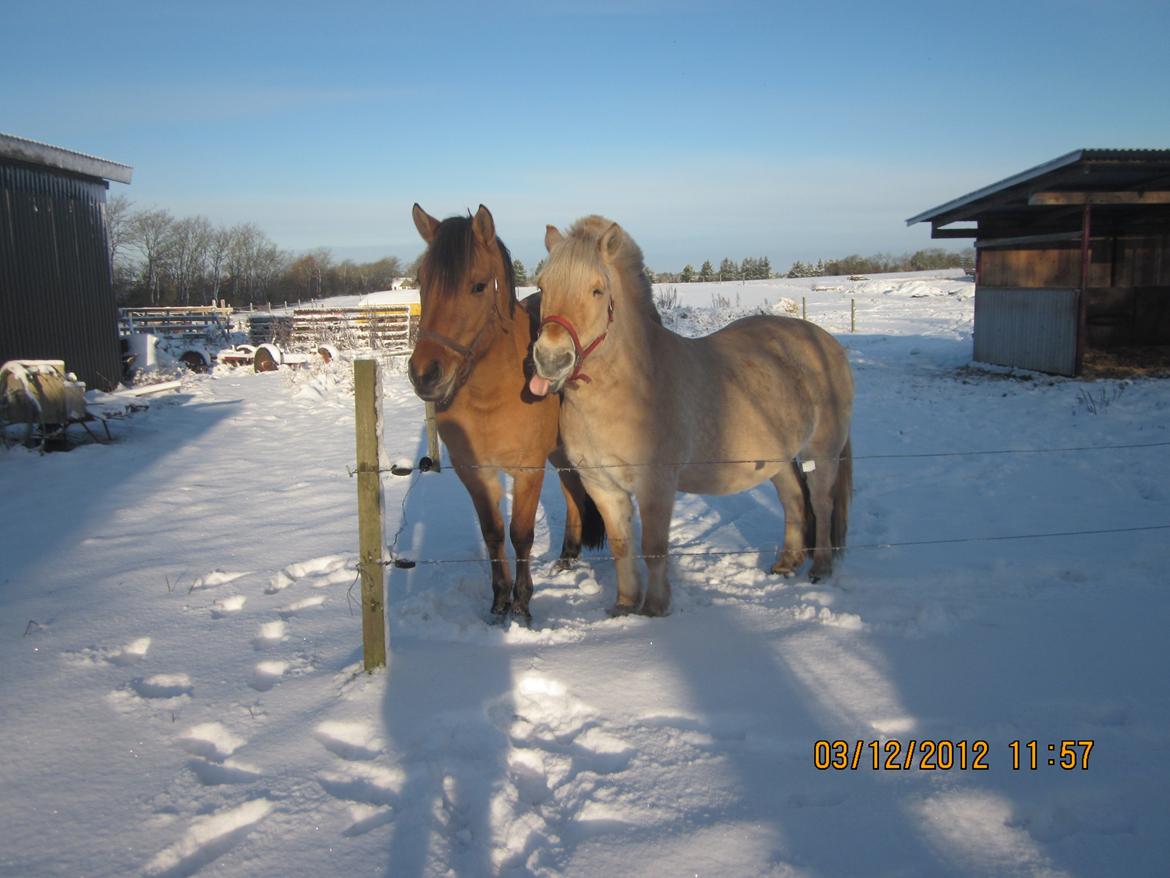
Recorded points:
(694, 551)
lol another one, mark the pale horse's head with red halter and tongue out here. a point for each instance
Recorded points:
(577, 286)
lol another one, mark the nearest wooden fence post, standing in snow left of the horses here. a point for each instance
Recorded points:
(367, 393)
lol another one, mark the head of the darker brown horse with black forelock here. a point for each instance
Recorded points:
(466, 287)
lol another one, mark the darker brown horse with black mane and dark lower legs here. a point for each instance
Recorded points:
(471, 358)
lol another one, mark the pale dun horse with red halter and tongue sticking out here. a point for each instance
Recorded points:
(648, 413)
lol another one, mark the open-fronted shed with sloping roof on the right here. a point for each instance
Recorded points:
(1072, 257)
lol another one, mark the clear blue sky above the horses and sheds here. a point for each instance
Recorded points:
(707, 129)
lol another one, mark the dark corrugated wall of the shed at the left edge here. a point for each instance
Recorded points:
(57, 294)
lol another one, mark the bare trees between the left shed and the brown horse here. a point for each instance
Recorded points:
(164, 260)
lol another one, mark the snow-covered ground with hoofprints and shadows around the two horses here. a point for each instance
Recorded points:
(181, 691)
